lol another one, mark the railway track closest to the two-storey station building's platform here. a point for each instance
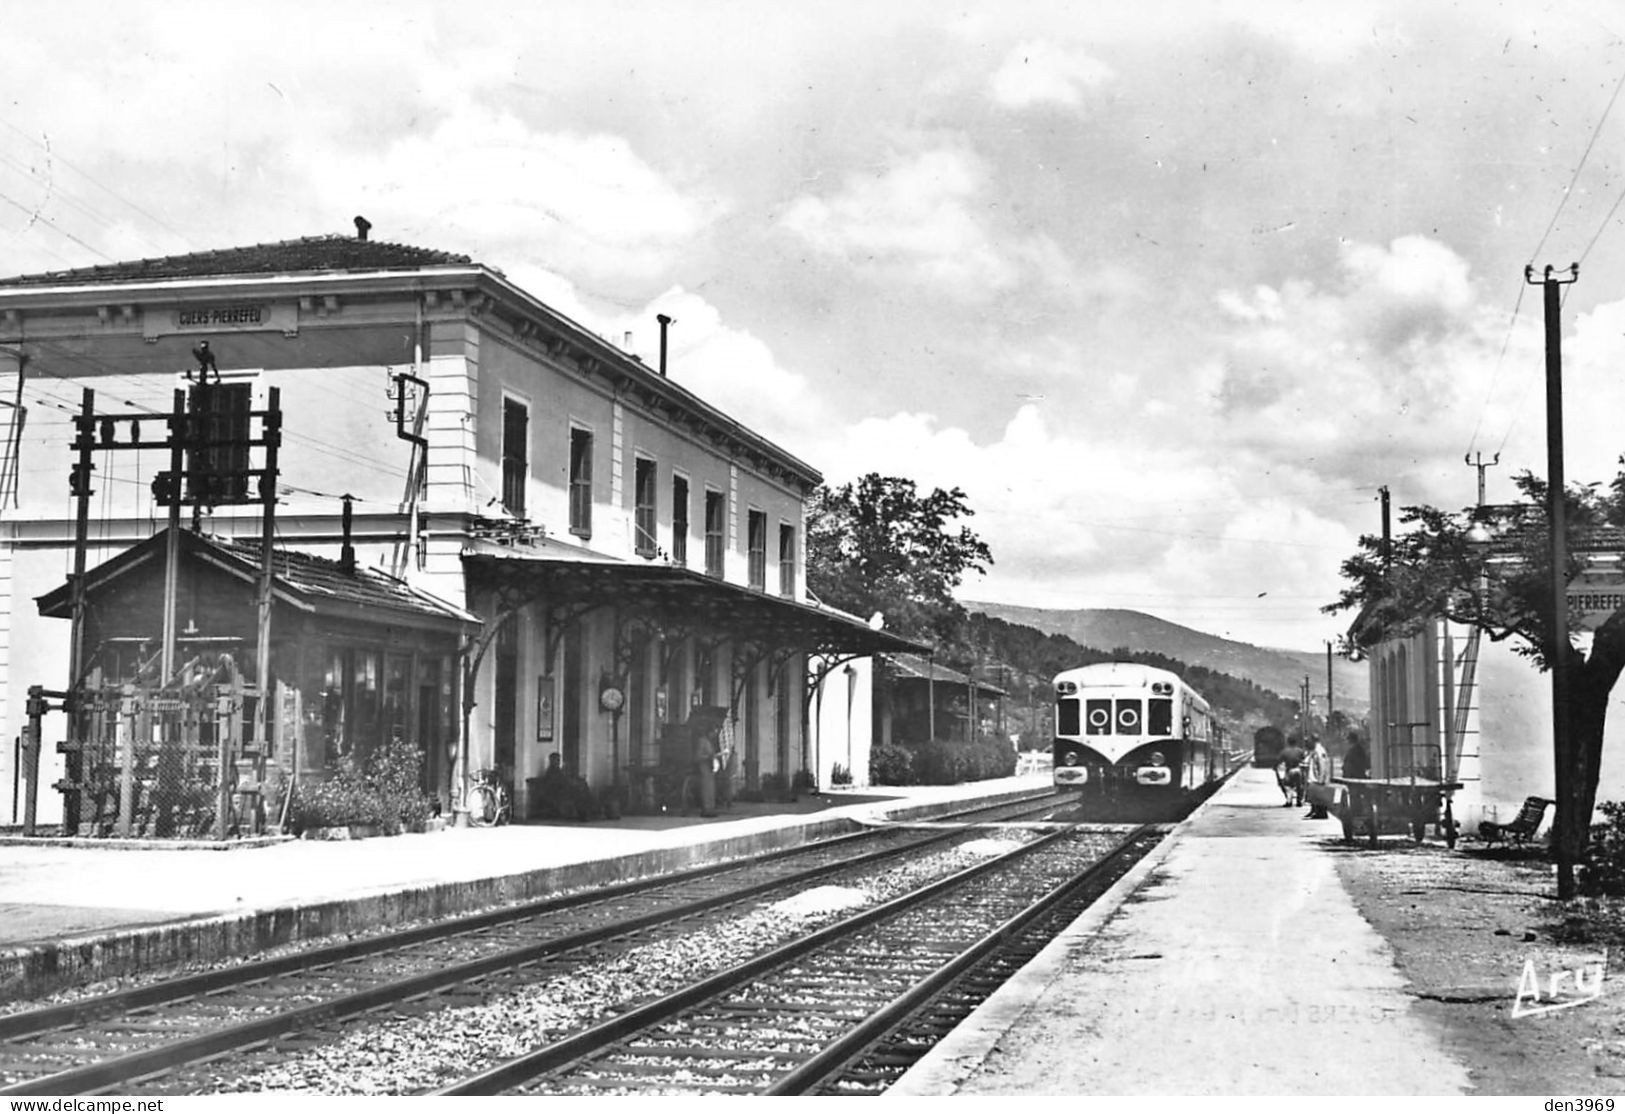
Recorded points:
(157, 1032)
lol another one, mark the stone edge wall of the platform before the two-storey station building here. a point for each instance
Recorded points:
(37, 970)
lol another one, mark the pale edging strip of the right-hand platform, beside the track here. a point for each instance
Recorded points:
(963, 1053)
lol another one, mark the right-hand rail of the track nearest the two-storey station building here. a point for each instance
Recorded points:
(123, 1069)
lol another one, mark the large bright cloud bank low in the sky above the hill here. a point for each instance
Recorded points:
(1094, 514)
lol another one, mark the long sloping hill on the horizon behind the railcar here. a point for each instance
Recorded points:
(1281, 671)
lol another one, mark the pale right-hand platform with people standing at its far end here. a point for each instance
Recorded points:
(1231, 962)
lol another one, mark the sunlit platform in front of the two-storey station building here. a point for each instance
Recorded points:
(84, 910)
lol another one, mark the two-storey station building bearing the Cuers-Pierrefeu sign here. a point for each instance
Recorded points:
(592, 548)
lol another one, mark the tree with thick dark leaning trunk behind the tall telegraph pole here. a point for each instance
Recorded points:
(1436, 569)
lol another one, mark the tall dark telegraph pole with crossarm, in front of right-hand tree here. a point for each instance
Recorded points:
(1562, 738)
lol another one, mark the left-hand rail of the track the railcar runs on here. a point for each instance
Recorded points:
(576, 1047)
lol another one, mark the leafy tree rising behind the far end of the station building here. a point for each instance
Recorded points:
(877, 545)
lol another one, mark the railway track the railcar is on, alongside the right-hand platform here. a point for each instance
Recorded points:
(844, 1011)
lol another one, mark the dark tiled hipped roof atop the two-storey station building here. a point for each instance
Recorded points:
(285, 257)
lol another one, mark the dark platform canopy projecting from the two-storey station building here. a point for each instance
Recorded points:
(674, 602)
